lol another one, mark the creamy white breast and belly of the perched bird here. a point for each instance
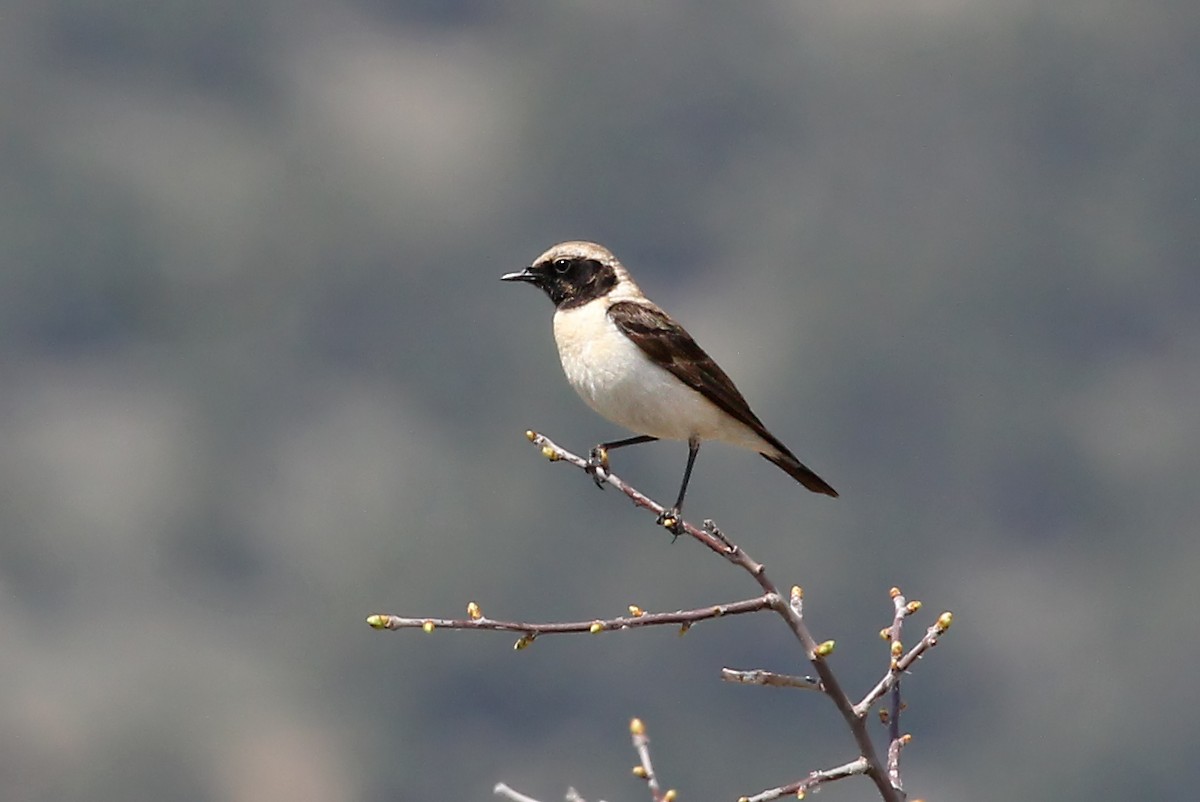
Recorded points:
(617, 380)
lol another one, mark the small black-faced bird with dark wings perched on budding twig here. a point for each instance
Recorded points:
(635, 366)
